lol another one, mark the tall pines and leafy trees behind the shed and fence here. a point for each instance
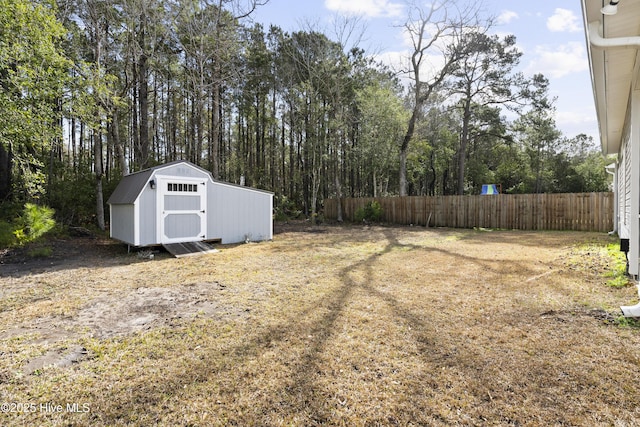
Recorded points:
(93, 90)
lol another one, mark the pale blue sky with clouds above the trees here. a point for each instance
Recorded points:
(549, 33)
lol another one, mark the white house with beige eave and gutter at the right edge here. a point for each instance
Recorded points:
(613, 42)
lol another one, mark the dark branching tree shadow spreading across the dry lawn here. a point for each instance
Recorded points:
(300, 396)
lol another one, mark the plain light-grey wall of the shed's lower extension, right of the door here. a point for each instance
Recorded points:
(249, 219)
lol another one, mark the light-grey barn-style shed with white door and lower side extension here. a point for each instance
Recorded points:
(180, 202)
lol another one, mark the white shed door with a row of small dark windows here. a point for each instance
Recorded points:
(182, 204)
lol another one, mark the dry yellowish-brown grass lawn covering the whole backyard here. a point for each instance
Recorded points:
(327, 325)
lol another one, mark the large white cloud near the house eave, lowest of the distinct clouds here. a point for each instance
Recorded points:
(559, 61)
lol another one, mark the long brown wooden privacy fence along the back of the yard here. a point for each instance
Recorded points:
(579, 211)
